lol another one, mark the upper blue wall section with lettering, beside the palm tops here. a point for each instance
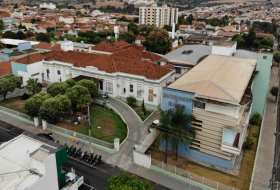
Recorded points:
(171, 97)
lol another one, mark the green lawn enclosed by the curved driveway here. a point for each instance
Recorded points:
(105, 127)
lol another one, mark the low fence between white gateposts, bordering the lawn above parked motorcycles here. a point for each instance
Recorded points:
(68, 133)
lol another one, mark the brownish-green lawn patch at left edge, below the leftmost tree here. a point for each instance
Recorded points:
(16, 104)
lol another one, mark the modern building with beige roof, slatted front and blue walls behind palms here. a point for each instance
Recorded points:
(217, 92)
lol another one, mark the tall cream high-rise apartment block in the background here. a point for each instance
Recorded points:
(158, 16)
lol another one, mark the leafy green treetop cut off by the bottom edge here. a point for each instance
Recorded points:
(127, 182)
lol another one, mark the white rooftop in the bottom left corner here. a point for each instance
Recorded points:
(18, 168)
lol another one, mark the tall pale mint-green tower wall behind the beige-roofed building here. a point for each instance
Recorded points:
(261, 82)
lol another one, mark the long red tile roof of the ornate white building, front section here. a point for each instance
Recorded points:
(111, 63)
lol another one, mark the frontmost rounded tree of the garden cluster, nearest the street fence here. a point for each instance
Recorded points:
(53, 109)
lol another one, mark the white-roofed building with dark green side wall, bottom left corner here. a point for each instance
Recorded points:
(28, 162)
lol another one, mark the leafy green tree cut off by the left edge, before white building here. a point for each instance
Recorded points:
(8, 83)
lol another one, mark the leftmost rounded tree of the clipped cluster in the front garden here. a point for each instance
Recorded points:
(33, 104)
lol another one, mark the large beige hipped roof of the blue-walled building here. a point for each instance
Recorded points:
(218, 77)
